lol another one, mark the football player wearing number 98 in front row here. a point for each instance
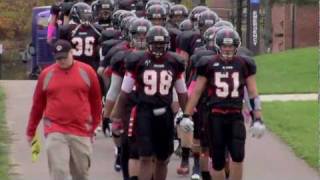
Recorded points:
(155, 72)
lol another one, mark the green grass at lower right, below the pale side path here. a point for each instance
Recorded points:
(297, 124)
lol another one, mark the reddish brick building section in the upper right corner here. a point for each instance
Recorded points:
(294, 26)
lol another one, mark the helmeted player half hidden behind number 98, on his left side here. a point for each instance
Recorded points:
(137, 42)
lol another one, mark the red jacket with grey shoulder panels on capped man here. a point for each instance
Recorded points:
(69, 101)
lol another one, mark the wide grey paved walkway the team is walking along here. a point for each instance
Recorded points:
(266, 159)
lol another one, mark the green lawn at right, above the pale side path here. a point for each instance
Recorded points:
(292, 71)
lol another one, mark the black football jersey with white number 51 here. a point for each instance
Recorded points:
(226, 79)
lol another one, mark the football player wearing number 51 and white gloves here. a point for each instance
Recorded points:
(224, 77)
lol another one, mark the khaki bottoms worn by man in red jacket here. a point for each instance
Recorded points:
(68, 155)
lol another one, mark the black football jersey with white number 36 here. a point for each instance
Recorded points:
(85, 42)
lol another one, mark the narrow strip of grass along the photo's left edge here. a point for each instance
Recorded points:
(4, 160)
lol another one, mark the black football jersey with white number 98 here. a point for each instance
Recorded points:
(155, 78)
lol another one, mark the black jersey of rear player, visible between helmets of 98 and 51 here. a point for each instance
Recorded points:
(188, 41)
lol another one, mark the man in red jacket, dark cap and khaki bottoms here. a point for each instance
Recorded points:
(68, 99)
